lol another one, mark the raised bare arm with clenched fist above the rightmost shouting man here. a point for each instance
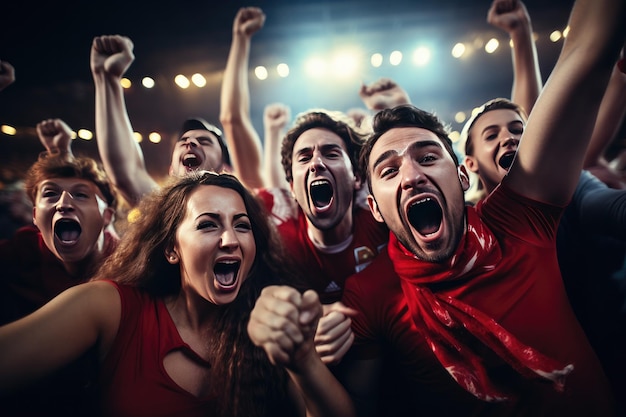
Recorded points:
(512, 17)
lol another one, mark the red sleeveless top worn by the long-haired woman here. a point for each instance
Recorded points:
(132, 377)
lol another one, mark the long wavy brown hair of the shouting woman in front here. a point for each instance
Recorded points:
(247, 384)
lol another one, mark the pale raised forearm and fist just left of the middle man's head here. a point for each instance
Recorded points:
(275, 119)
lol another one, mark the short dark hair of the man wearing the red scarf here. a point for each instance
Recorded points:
(404, 115)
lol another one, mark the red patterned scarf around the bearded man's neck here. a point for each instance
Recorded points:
(457, 332)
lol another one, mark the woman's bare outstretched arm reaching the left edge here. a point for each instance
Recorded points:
(57, 333)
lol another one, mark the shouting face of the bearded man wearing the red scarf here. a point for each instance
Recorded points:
(417, 190)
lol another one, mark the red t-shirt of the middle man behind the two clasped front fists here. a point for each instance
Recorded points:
(326, 272)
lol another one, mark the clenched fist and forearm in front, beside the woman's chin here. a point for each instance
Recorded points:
(283, 323)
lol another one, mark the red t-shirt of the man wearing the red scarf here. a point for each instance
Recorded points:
(524, 293)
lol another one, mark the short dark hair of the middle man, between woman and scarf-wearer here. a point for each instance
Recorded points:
(335, 121)
